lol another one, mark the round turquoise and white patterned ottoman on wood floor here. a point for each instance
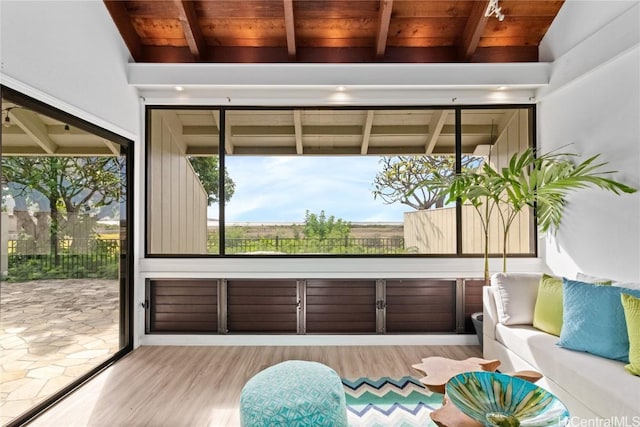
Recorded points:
(294, 393)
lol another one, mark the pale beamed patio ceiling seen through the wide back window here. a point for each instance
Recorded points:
(377, 132)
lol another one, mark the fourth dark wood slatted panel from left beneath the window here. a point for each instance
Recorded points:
(421, 305)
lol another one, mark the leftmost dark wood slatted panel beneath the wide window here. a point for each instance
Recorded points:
(183, 306)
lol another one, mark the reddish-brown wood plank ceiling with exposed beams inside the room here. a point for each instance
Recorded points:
(331, 31)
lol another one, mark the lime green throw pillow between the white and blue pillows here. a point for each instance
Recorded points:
(547, 313)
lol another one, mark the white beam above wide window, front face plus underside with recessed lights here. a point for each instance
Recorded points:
(316, 84)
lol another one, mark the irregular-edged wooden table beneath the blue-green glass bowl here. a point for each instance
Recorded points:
(439, 370)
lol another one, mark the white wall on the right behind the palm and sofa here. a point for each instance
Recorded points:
(593, 102)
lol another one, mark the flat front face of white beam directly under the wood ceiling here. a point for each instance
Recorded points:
(466, 75)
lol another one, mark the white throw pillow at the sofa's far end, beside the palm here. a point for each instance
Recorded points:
(515, 295)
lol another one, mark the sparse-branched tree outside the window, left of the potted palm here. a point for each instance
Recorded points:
(406, 179)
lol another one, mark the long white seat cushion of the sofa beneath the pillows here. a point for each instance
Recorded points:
(600, 384)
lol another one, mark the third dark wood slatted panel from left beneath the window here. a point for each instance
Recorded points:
(341, 306)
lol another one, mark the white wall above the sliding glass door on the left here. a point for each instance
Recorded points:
(69, 54)
